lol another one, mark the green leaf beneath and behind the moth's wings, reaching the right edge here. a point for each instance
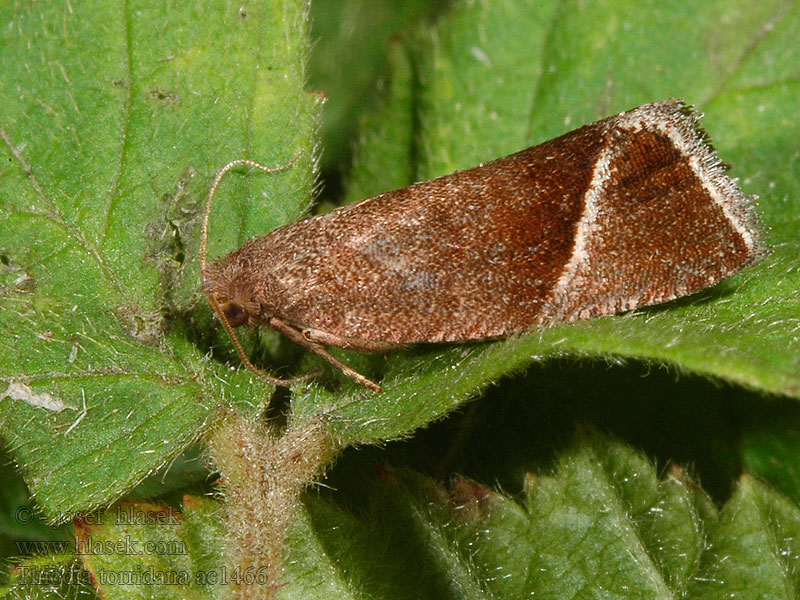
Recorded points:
(495, 77)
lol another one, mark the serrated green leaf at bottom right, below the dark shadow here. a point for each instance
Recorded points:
(601, 524)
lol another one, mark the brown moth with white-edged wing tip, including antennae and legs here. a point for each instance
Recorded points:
(625, 212)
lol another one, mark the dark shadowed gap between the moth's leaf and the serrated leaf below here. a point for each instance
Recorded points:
(522, 424)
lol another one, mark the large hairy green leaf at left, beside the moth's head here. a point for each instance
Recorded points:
(114, 119)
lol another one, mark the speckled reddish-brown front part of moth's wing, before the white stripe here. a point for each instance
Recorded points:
(467, 256)
